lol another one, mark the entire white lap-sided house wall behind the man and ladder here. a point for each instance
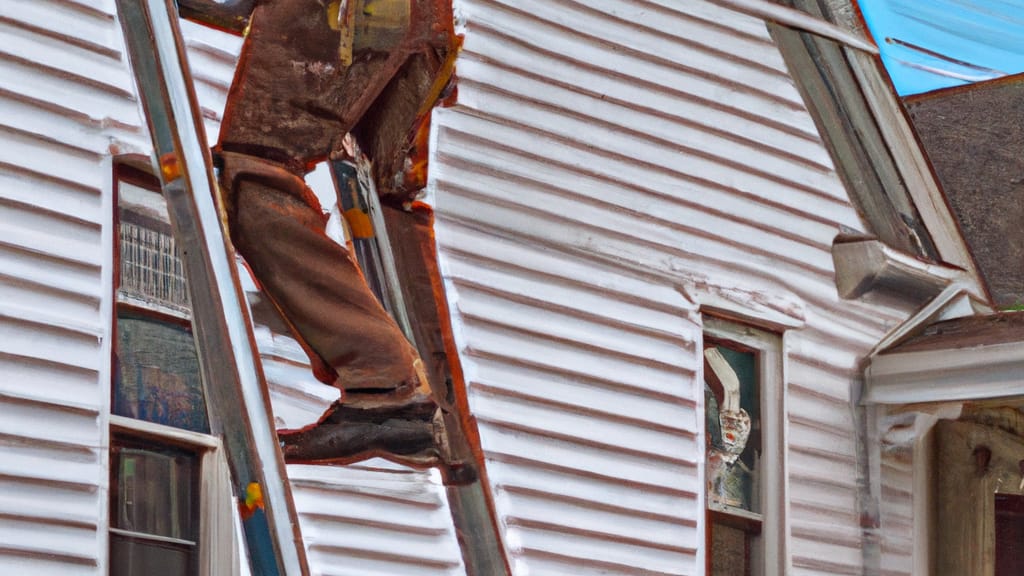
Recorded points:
(612, 170)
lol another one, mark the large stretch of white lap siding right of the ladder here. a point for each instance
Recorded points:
(604, 154)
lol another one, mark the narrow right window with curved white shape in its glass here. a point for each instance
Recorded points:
(744, 461)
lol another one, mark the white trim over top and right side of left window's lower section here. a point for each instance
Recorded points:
(219, 549)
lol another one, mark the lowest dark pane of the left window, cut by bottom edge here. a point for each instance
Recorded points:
(137, 557)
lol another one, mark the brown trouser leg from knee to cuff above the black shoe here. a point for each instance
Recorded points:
(277, 225)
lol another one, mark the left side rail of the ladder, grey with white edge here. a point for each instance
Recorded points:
(232, 374)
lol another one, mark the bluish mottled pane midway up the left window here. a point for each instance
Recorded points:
(159, 376)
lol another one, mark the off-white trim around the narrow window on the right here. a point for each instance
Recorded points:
(774, 546)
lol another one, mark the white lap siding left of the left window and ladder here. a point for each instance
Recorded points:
(66, 102)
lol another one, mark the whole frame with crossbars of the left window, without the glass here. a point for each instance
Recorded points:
(218, 549)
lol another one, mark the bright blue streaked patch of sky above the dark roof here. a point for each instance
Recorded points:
(932, 45)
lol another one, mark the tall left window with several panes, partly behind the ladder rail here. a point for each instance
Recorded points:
(169, 514)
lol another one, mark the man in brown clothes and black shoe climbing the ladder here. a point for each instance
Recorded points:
(311, 72)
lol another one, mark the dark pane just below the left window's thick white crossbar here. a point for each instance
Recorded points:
(155, 491)
